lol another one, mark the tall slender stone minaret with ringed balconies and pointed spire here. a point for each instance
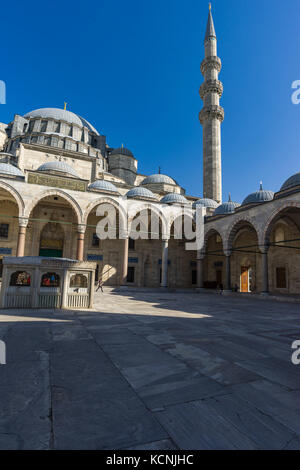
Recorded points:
(211, 115)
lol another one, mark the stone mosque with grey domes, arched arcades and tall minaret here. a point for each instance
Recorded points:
(56, 169)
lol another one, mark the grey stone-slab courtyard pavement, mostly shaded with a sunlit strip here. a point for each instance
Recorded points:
(152, 370)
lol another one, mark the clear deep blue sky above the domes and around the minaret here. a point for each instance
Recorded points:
(132, 68)
